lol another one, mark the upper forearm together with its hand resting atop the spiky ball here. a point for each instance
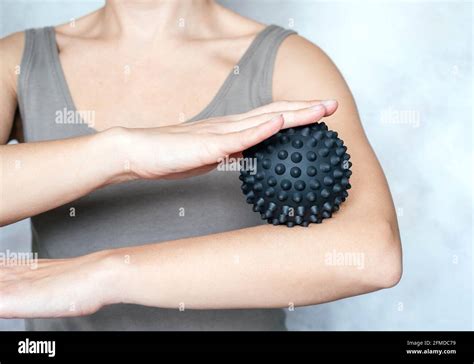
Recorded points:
(83, 164)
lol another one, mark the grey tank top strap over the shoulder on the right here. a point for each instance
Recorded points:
(258, 64)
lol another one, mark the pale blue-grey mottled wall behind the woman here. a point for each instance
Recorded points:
(409, 65)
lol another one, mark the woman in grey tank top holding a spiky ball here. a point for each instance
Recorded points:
(133, 227)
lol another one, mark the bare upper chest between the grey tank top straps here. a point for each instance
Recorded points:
(146, 89)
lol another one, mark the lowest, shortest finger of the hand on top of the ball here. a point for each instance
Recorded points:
(238, 141)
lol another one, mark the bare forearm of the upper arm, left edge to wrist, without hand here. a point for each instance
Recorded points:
(36, 177)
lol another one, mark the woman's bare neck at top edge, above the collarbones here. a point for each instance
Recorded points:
(157, 19)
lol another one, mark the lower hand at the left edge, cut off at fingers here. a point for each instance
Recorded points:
(57, 287)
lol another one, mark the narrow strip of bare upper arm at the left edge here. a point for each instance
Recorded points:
(11, 50)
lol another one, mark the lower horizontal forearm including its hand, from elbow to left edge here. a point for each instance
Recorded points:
(258, 267)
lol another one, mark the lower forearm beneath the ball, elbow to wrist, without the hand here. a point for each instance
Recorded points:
(263, 266)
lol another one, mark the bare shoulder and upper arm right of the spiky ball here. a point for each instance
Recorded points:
(303, 71)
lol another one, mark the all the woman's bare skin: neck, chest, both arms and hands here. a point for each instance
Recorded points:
(277, 266)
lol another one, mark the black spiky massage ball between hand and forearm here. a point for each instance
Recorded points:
(301, 175)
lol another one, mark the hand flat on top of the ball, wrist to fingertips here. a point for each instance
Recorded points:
(194, 148)
